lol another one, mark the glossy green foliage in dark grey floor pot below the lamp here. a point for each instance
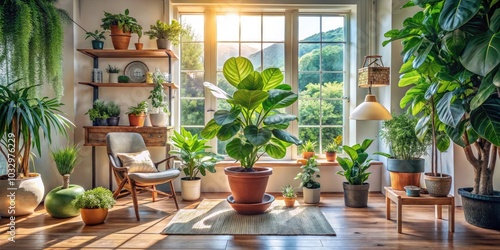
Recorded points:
(354, 168)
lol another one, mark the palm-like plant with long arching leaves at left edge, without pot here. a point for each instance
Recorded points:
(25, 120)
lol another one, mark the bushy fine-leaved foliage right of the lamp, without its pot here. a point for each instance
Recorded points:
(399, 133)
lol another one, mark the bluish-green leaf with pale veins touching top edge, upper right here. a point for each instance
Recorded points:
(456, 13)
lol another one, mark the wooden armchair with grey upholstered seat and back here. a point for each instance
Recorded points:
(123, 142)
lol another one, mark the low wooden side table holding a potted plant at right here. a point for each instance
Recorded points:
(400, 198)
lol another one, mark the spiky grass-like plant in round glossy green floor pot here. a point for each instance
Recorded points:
(58, 202)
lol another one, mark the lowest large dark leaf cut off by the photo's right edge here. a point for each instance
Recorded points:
(486, 120)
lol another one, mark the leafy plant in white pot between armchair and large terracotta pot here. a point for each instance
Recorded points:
(194, 160)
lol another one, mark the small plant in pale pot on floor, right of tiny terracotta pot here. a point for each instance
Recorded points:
(311, 189)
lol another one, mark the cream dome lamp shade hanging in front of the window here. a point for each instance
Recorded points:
(370, 109)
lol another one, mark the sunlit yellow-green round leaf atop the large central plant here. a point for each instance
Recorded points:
(236, 69)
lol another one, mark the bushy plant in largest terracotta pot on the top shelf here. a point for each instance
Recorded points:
(121, 26)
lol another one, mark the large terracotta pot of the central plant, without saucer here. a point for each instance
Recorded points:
(242, 182)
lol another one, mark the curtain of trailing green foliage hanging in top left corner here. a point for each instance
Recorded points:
(31, 42)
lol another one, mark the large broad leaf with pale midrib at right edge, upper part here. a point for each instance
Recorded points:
(482, 53)
